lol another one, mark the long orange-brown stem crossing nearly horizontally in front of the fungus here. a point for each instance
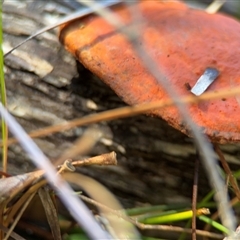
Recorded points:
(128, 111)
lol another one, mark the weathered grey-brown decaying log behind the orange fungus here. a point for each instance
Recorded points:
(45, 86)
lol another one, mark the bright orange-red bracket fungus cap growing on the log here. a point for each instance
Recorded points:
(183, 42)
